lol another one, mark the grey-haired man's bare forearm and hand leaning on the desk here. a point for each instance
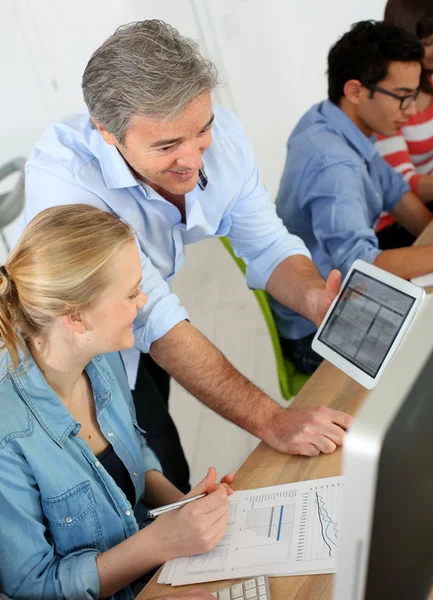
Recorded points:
(197, 365)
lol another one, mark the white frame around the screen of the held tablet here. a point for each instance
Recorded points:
(416, 292)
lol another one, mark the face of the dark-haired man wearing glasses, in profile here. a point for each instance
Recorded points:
(382, 113)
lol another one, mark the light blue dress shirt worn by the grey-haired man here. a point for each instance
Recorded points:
(72, 164)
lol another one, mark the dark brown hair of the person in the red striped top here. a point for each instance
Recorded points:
(415, 16)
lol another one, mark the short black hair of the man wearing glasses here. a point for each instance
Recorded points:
(365, 53)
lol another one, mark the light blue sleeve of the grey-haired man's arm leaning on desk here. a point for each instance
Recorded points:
(54, 186)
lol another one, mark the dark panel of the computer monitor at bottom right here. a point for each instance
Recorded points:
(400, 564)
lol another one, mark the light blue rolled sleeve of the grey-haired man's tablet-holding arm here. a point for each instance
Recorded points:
(257, 234)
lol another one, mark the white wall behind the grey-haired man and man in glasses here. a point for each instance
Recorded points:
(271, 55)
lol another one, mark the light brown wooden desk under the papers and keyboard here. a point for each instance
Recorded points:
(327, 387)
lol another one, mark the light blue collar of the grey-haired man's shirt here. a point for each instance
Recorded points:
(114, 168)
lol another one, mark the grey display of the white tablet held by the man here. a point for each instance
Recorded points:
(365, 321)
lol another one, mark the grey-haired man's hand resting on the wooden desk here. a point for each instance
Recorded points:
(307, 431)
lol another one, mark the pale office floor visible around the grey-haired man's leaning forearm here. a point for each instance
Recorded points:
(221, 306)
